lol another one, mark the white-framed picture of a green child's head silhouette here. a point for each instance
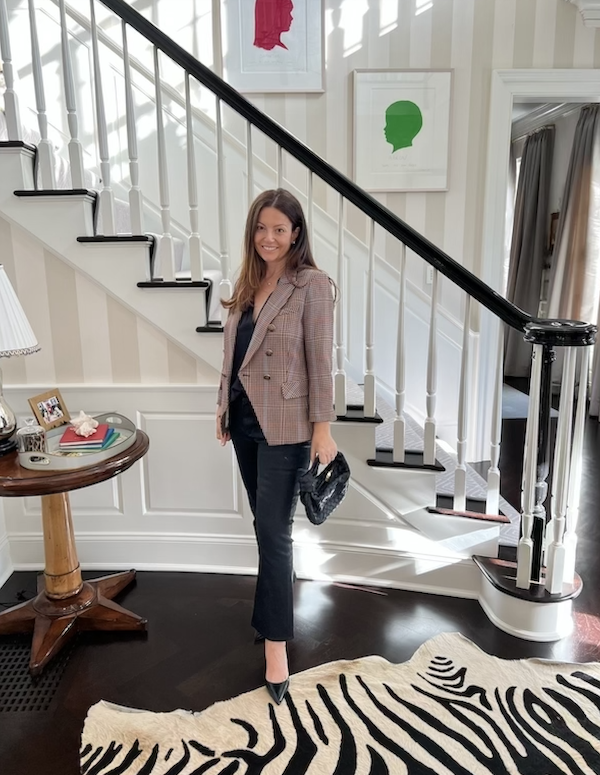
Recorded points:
(402, 129)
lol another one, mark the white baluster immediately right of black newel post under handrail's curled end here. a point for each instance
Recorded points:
(555, 569)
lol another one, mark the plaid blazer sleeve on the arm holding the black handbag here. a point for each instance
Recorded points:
(318, 348)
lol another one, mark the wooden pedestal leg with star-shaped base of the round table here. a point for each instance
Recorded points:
(65, 604)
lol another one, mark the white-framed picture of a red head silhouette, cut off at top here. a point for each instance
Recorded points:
(271, 58)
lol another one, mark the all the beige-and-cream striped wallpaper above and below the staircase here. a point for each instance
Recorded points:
(88, 337)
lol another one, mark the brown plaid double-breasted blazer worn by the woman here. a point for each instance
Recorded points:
(287, 371)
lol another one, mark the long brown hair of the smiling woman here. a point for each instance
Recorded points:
(253, 267)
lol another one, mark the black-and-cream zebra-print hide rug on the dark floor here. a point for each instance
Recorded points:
(450, 709)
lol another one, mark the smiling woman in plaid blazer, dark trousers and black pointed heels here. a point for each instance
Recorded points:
(275, 399)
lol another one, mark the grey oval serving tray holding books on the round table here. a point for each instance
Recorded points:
(54, 459)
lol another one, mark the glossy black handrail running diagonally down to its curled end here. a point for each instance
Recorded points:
(560, 332)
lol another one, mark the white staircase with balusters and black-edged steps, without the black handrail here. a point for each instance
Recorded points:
(393, 529)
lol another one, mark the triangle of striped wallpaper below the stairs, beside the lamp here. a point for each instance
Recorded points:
(87, 337)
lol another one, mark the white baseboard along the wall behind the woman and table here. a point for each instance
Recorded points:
(450, 576)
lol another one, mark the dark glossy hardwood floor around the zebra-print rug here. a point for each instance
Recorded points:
(199, 647)
